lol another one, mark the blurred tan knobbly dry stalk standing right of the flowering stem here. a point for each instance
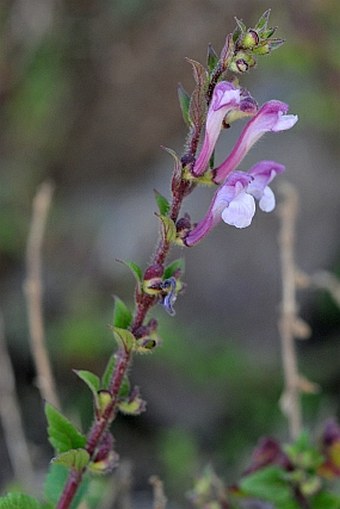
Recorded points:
(290, 400)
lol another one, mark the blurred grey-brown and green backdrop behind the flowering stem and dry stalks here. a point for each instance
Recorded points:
(88, 96)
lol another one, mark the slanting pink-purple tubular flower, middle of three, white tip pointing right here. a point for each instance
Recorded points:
(271, 117)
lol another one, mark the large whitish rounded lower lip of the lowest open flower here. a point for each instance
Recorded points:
(240, 211)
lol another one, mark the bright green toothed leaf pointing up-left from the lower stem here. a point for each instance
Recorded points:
(62, 434)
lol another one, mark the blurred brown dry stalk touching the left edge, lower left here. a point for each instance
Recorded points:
(10, 416)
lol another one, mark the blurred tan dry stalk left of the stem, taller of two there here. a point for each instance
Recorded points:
(33, 292)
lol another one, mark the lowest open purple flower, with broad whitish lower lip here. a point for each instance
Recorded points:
(234, 201)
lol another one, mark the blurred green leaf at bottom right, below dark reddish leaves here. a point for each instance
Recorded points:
(269, 484)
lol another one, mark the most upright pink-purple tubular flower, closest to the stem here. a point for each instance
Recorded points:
(225, 98)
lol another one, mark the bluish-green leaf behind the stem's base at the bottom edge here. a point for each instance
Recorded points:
(55, 482)
